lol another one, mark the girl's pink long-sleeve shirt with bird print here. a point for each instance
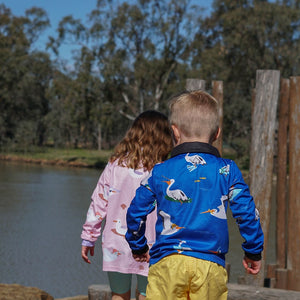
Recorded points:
(110, 200)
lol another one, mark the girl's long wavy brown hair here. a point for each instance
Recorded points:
(147, 142)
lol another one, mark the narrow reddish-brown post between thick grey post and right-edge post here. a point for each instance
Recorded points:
(281, 200)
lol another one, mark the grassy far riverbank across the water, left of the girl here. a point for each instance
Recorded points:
(61, 157)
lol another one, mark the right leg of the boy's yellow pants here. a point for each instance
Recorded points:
(209, 281)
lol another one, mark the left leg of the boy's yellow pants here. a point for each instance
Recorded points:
(168, 279)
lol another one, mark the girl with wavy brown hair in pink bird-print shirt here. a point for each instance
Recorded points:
(146, 143)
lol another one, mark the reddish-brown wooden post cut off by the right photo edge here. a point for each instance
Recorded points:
(293, 256)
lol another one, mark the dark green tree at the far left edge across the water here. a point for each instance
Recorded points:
(24, 78)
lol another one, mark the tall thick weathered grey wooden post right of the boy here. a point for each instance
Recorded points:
(261, 156)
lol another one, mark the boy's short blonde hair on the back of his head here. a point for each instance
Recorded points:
(195, 114)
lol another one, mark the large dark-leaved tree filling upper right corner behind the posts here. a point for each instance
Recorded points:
(238, 38)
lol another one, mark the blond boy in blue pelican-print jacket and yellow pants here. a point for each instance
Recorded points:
(192, 191)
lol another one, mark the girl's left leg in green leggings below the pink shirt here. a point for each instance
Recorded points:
(120, 285)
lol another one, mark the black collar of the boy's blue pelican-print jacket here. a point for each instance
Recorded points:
(195, 147)
